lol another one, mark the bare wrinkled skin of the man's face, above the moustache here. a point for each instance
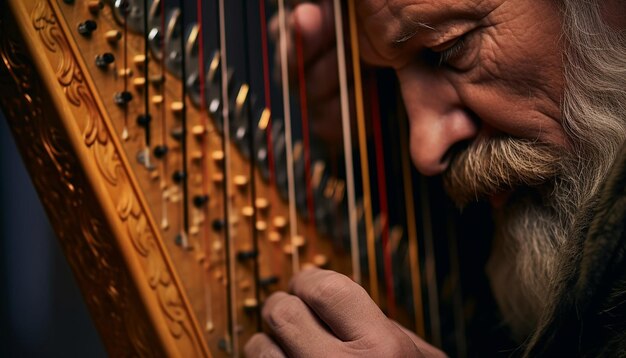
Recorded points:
(470, 69)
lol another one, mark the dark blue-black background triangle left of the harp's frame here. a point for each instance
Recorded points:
(42, 313)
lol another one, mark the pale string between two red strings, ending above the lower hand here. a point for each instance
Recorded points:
(293, 224)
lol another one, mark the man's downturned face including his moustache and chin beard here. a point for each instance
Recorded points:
(483, 84)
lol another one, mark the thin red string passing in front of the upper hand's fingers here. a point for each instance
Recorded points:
(305, 125)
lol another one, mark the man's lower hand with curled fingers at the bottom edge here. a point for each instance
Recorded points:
(327, 314)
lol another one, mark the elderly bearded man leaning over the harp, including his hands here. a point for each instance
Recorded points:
(535, 90)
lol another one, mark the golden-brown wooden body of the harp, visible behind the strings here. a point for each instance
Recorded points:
(147, 295)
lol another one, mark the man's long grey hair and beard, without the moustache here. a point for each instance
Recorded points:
(533, 229)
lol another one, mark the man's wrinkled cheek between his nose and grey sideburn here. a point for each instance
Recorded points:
(516, 88)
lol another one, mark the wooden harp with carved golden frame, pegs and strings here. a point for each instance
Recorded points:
(176, 161)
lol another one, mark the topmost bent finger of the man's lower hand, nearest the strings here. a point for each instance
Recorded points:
(342, 304)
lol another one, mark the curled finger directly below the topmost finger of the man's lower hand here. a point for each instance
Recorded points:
(295, 327)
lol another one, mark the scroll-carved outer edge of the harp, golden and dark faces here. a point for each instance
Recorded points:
(92, 246)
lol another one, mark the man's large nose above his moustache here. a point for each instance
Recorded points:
(437, 117)
